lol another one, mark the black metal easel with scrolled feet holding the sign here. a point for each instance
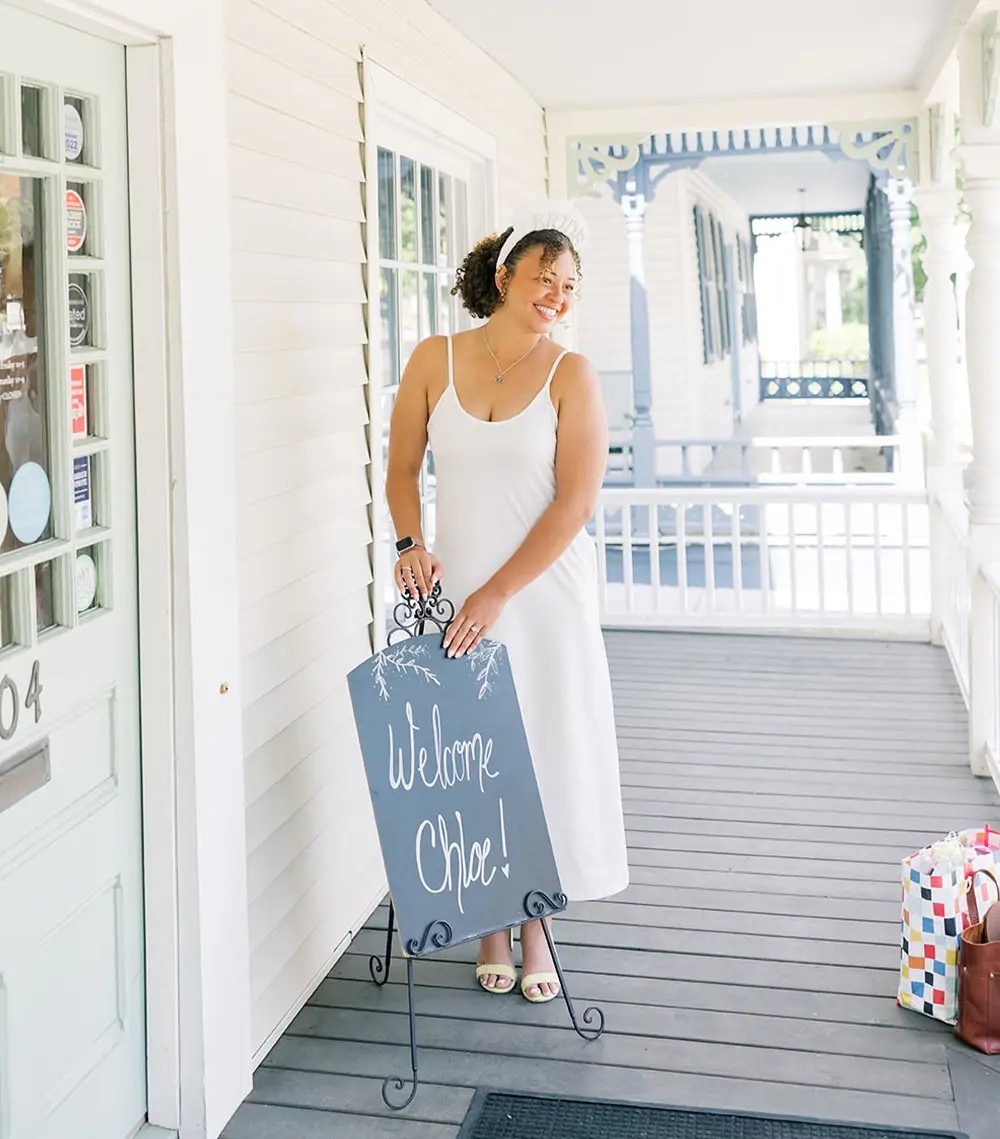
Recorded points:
(412, 618)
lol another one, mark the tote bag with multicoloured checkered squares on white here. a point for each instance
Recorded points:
(937, 886)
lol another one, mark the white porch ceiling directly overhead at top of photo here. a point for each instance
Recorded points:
(655, 52)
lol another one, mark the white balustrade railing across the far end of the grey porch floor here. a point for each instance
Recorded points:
(778, 559)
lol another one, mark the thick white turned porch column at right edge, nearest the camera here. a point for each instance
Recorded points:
(980, 155)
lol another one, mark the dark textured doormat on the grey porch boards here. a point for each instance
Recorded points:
(499, 1116)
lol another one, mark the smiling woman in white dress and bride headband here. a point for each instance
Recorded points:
(520, 443)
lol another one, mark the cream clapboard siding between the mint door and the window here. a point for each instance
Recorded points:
(301, 330)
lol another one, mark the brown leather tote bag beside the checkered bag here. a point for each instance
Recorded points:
(979, 978)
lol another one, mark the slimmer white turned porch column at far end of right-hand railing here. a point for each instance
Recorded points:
(939, 207)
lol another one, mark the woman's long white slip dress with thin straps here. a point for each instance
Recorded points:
(494, 482)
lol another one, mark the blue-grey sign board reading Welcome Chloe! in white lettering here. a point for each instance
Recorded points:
(460, 820)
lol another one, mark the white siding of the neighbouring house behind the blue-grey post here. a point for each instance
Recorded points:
(691, 399)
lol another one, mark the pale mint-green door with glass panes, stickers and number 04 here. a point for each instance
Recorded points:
(72, 1029)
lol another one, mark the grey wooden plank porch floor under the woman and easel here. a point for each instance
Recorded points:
(772, 788)
